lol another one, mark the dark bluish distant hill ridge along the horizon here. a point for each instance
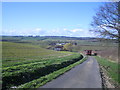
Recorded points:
(38, 38)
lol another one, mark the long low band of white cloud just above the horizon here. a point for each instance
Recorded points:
(67, 31)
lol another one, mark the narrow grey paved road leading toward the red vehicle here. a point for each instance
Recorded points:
(85, 75)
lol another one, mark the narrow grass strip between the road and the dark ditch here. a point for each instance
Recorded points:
(43, 80)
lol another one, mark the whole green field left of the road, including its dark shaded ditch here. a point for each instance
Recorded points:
(23, 63)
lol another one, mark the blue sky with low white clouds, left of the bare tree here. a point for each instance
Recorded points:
(48, 18)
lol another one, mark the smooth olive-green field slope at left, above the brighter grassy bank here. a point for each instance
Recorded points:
(15, 52)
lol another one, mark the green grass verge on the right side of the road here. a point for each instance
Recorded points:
(112, 68)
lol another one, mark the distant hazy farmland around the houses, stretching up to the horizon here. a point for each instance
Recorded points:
(105, 47)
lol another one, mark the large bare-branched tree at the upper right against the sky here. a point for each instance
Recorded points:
(106, 22)
